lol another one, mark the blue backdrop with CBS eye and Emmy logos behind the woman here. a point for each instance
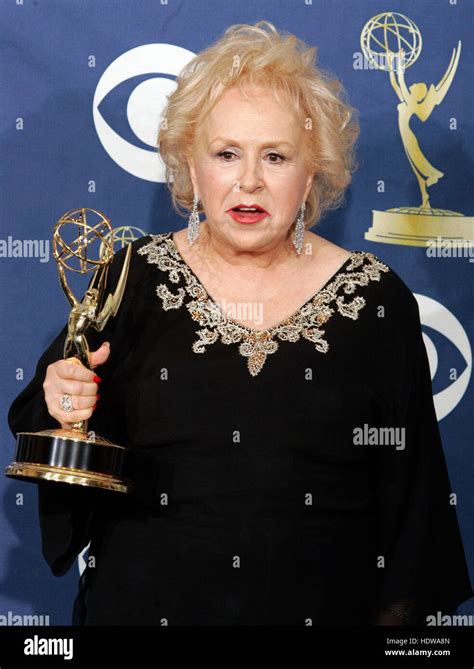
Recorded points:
(83, 85)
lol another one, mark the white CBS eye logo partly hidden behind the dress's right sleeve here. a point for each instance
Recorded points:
(453, 343)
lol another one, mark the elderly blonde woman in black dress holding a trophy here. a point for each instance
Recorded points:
(255, 371)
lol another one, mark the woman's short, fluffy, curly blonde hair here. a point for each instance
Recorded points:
(260, 55)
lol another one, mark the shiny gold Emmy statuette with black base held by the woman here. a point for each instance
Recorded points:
(74, 455)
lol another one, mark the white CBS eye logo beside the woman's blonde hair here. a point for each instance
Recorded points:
(144, 107)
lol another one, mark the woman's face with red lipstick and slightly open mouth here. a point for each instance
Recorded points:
(250, 152)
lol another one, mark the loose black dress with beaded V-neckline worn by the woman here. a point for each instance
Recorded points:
(268, 490)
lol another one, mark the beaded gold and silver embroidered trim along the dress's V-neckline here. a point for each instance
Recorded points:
(256, 345)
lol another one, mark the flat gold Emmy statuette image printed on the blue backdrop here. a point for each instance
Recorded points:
(391, 42)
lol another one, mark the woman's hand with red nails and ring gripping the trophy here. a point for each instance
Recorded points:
(70, 376)
